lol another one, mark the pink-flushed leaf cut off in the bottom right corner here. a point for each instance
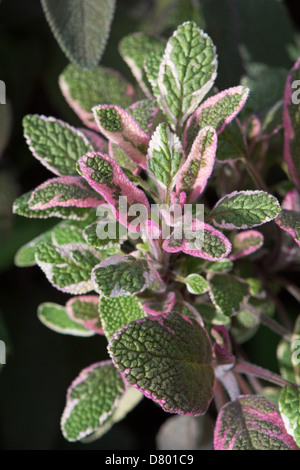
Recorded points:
(251, 423)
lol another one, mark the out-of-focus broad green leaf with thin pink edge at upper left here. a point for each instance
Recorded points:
(84, 89)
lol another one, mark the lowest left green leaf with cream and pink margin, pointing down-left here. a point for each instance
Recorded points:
(95, 401)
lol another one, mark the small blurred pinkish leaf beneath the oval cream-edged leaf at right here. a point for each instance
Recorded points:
(246, 243)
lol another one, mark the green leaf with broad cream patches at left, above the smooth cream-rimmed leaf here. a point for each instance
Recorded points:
(68, 267)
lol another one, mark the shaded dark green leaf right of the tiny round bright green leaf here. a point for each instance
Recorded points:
(228, 293)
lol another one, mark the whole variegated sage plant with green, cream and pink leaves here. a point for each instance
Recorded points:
(155, 253)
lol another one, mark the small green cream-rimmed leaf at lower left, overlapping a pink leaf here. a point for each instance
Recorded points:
(55, 317)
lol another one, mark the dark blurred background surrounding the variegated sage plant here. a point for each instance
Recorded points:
(257, 42)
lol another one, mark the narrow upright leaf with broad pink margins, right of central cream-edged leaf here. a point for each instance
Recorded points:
(196, 170)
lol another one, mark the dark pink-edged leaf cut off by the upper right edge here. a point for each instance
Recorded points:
(291, 124)
